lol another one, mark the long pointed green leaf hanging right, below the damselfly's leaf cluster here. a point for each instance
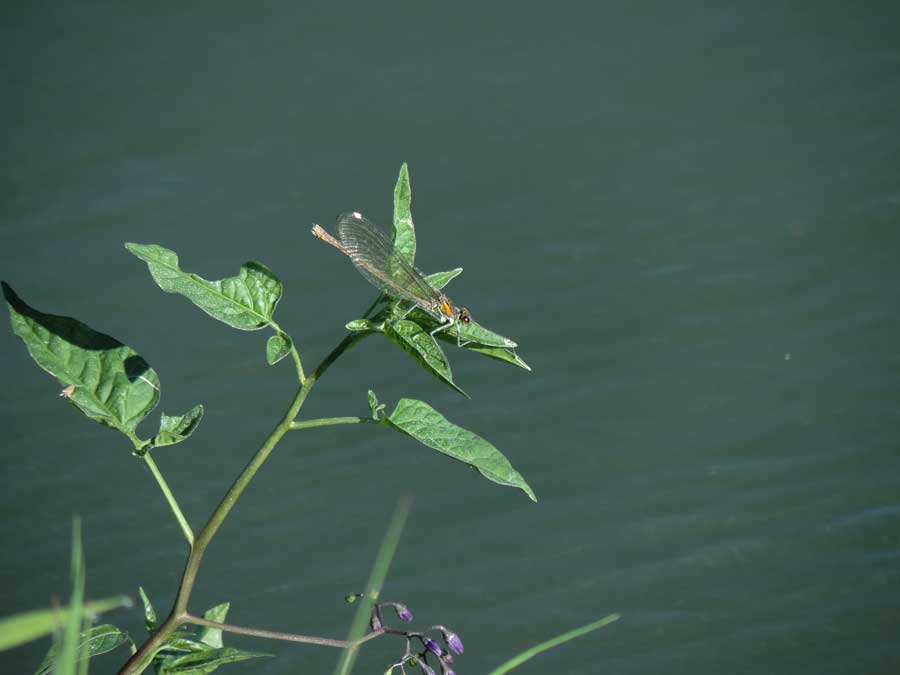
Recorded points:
(430, 428)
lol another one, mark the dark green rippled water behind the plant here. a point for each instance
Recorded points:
(686, 215)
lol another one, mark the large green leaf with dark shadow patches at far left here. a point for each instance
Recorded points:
(106, 380)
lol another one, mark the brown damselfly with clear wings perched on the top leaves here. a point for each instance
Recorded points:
(378, 260)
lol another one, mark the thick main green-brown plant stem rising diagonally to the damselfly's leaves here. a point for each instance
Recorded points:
(144, 656)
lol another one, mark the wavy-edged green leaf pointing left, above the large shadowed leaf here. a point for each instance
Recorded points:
(246, 301)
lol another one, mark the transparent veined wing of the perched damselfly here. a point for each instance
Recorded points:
(382, 265)
